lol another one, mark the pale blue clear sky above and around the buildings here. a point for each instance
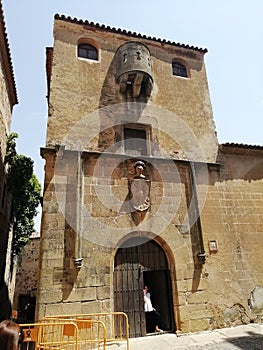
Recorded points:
(231, 30)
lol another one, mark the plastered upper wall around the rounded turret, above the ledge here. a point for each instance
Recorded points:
(183, 103)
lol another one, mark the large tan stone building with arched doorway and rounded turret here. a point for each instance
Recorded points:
(137, 189)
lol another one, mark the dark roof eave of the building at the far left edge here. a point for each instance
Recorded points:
(7, 57)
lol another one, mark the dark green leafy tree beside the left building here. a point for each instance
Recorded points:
(26, 193)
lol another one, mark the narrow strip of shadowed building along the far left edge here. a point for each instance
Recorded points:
(8, 98)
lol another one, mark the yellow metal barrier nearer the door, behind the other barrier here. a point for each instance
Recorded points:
(116, 324)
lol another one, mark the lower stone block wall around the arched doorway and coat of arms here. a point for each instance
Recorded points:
(208, 297)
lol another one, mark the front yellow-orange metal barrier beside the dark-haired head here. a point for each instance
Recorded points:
(64, 335)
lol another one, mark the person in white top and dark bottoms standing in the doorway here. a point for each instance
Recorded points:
(151, 314)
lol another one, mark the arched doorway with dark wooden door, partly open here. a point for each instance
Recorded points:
(141, 261)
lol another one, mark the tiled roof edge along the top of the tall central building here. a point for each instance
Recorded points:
(125, 32)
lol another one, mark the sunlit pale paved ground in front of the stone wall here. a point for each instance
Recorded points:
(245, 337)
